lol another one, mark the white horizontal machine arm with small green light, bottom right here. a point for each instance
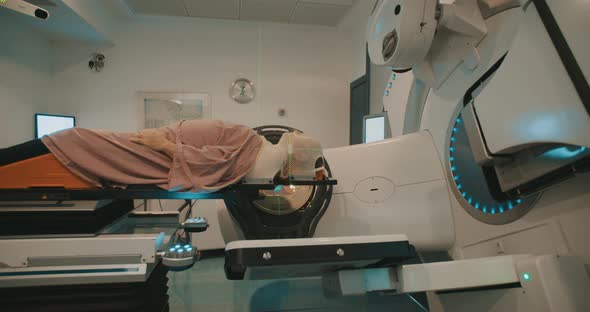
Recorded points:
(519, 283)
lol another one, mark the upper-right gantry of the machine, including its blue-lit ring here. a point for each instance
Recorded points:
(507, 79)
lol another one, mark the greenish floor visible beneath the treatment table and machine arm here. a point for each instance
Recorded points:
(204, 288)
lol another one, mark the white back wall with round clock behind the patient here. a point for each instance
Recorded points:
(303, 69)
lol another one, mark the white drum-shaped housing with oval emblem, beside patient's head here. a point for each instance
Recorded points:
(383, 189)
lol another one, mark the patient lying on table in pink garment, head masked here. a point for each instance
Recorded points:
(196, 155)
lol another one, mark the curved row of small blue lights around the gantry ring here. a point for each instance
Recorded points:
(485, 207)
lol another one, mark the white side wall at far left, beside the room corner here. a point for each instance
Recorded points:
(24, 80)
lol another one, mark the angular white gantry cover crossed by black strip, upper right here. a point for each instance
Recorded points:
(545, 109)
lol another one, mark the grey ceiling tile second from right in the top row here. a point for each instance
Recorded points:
(267, 10)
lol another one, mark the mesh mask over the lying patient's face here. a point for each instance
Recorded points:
(304, 155)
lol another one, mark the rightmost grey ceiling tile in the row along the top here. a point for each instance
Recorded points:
(318, 14)
